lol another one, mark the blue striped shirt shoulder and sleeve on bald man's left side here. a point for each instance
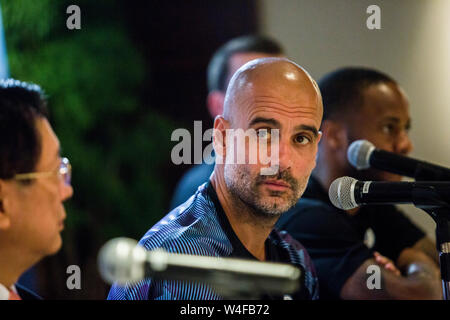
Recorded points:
(191, 228)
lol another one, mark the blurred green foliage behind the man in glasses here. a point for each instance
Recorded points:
(93, 78)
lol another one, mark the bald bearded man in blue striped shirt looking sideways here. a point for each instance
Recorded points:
(234, 213)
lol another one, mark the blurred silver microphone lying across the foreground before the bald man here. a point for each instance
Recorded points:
(122, 260)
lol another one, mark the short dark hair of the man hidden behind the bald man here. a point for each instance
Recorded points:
(218, 67)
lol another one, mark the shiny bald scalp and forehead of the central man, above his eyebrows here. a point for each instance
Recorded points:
(270, 77)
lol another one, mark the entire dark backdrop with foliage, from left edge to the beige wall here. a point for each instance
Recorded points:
(117, 89)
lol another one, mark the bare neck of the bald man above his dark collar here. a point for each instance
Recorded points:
(251, 230)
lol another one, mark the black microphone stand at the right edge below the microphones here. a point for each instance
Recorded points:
(440, 212)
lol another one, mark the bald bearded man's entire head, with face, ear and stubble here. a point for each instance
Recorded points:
(277, 101)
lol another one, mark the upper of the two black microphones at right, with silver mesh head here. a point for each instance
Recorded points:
(363, 155)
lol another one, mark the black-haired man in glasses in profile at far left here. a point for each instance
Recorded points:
(34, 182)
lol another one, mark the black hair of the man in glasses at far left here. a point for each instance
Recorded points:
(20, 143)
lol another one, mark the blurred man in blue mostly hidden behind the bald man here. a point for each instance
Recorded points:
(227, 59)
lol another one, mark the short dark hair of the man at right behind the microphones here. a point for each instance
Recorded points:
(342, 90)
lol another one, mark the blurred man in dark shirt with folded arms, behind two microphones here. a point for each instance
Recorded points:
(366, 104)
